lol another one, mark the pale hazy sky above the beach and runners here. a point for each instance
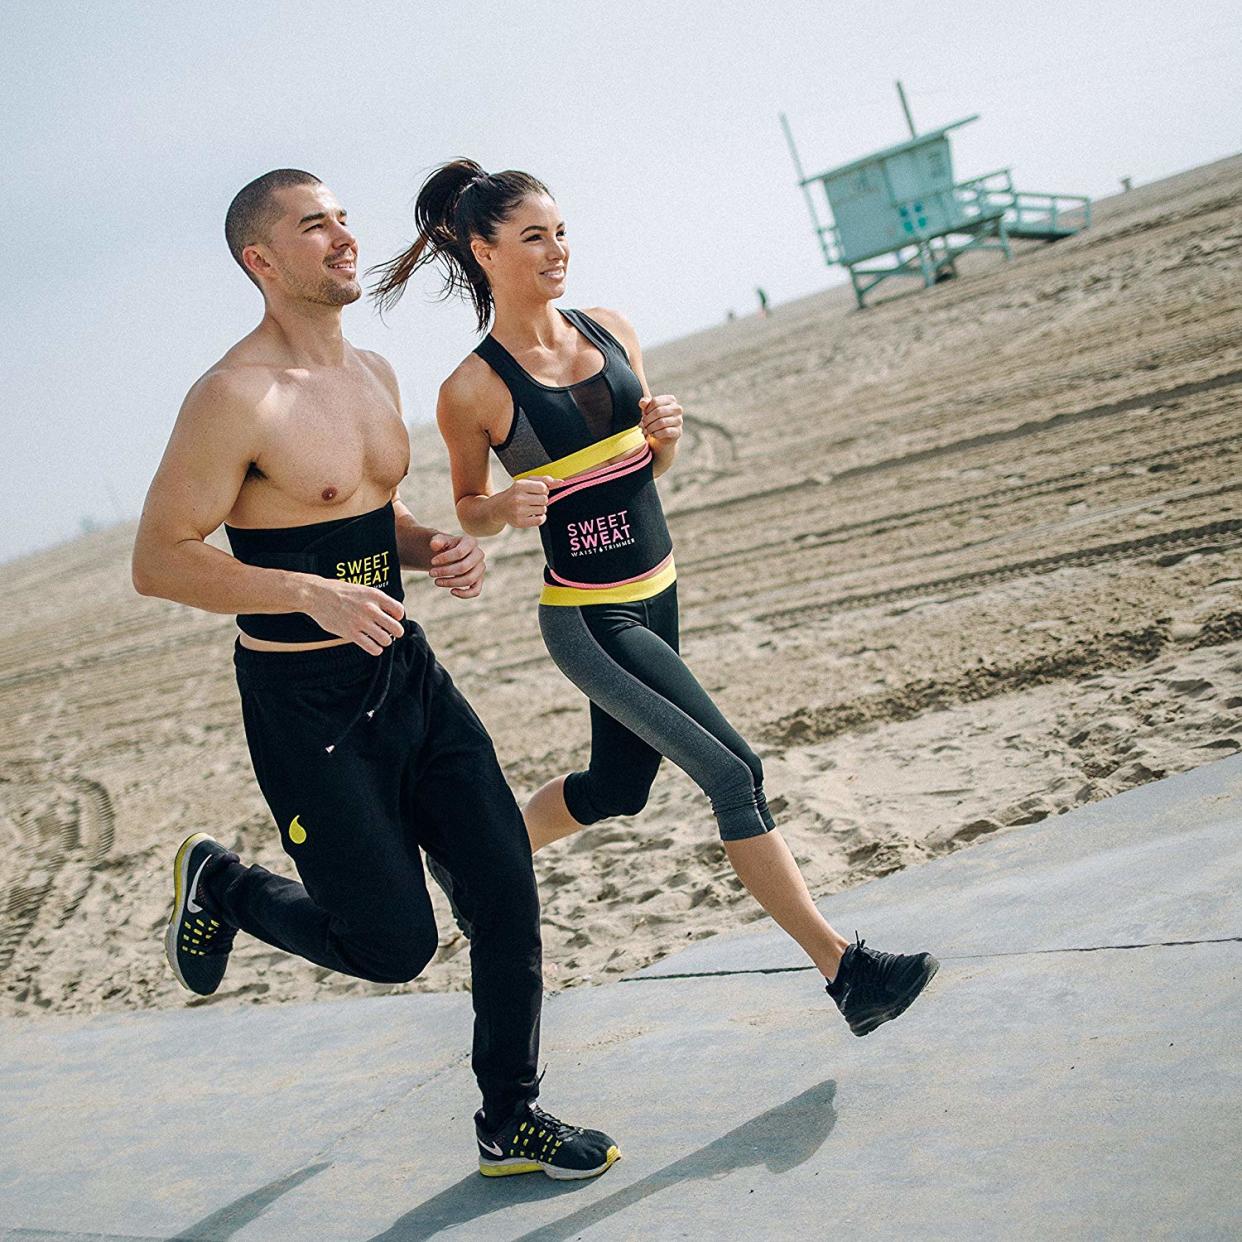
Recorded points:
(130, 126)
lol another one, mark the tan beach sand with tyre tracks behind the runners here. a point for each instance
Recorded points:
(954, 564)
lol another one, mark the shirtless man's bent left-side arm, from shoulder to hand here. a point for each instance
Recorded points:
(194, 490)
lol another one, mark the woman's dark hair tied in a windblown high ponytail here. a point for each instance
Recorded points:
(456, 203)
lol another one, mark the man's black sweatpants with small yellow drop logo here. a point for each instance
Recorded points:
(363, 761)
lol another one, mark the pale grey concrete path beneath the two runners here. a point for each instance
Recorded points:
(1075, 1071)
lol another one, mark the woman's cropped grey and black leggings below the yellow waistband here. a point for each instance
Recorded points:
(646, 705)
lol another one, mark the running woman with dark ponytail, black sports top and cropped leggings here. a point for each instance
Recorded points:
(562, 401)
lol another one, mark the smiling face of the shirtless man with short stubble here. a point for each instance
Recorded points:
(311, 253)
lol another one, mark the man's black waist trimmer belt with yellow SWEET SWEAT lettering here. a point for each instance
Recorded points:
(361, 550)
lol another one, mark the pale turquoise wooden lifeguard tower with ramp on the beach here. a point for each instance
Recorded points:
(904, 206)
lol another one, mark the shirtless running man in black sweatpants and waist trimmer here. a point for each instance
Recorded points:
(363, 747)
